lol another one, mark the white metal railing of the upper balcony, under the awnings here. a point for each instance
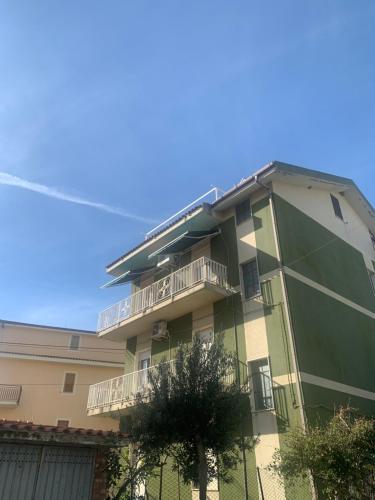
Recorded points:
(200, 270)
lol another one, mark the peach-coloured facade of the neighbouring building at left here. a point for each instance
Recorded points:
(37, 359)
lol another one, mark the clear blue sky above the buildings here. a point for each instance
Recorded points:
(143, 106)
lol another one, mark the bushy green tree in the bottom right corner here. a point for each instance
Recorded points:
(339, 455)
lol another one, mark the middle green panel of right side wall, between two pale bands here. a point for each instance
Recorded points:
(333, 340)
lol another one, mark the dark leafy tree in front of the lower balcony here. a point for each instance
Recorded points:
(193, 413)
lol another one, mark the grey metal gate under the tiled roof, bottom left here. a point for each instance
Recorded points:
(30, 472)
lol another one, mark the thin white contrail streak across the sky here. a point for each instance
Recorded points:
(12, 180)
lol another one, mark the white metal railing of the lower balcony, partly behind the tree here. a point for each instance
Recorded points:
(124, 389)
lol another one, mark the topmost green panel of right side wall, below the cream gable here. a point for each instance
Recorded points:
(315, 252)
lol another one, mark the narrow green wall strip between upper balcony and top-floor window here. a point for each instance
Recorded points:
(224, 250)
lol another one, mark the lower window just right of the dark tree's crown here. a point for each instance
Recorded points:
(260, 376)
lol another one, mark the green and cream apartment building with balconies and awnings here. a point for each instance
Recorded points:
(283, 266)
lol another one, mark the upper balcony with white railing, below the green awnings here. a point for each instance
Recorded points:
(202, 282)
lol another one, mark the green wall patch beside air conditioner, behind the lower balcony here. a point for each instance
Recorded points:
(180, 331)
